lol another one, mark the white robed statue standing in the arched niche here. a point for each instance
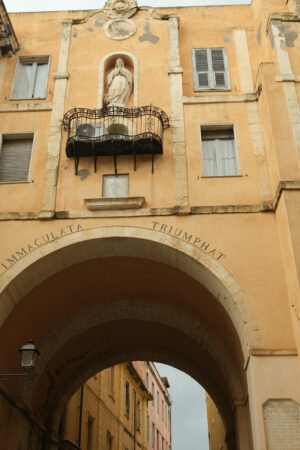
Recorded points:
(119, 85)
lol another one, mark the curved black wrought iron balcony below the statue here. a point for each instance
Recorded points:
(115, 131)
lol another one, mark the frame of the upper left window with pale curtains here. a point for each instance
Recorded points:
(27, 60)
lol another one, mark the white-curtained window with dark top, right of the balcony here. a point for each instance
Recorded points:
(219, 152)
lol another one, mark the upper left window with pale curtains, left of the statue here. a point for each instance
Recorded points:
(31, 77)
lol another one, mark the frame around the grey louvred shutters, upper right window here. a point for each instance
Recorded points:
(211, 84)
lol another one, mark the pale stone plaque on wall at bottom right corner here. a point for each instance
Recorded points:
(282, 423)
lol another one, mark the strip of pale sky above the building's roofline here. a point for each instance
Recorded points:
(54, 5)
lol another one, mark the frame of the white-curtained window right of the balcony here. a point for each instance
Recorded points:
(220, 127)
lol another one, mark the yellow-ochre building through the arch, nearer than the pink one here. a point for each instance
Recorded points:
(109, 411)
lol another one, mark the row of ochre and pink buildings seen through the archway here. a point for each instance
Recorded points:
(124, 406)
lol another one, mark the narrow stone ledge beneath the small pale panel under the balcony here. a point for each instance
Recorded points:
(109, 203)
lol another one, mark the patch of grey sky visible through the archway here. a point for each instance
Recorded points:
(189, 420)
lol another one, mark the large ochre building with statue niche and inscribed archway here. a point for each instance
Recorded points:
(149, 209)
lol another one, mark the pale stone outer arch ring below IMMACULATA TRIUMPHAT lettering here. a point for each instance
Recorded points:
(92, 243)
